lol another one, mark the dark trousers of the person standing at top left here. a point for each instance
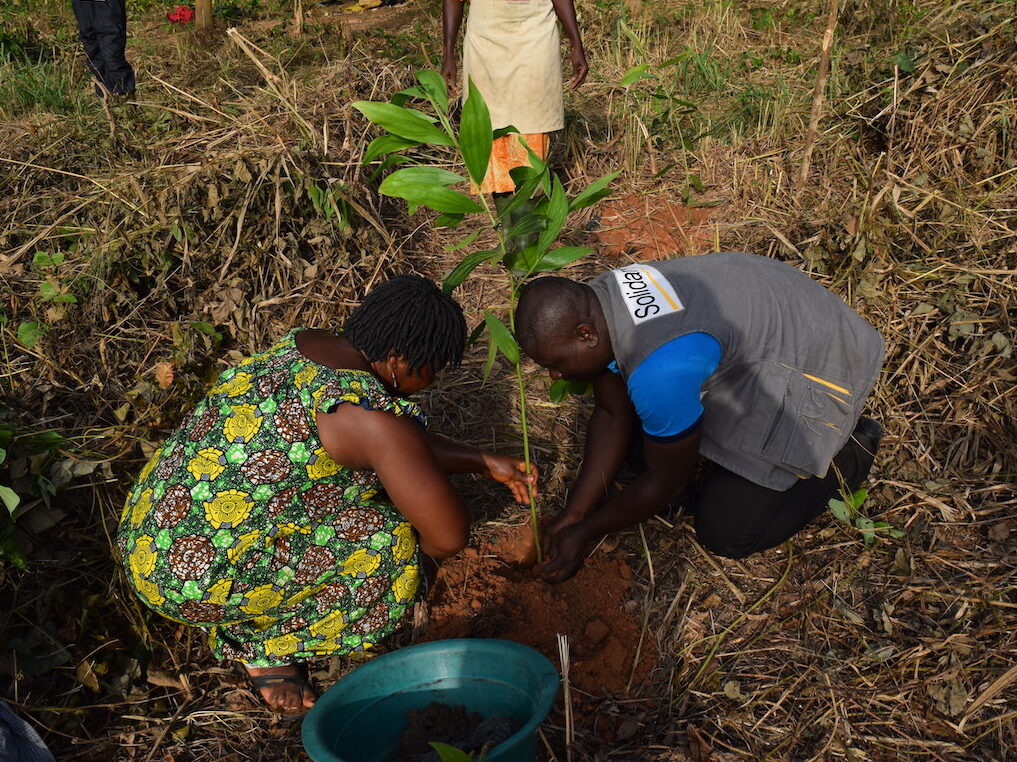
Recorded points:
(102, 26)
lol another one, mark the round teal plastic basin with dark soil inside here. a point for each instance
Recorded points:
(363, 717)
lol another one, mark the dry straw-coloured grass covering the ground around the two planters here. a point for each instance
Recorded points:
(195, 207)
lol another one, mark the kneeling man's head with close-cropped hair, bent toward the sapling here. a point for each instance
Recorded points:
(561, 326)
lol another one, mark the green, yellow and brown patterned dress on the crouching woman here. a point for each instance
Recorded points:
(244, 525)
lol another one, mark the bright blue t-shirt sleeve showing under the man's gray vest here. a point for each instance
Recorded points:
(667, 387)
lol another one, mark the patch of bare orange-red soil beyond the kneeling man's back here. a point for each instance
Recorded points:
(648, 227)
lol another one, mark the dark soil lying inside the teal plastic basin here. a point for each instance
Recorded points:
(454, 726)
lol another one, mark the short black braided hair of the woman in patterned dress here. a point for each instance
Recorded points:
(410, 317)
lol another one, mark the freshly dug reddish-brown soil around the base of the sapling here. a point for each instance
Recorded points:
(493, 592)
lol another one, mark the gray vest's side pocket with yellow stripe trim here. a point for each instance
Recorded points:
(808, 426)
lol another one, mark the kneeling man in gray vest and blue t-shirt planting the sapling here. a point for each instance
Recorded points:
(741, 359)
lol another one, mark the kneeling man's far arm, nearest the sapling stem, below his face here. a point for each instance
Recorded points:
(609, 438)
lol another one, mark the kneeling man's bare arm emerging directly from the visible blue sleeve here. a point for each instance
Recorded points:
(669, 468)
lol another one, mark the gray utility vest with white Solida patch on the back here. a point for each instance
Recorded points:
(798, 363)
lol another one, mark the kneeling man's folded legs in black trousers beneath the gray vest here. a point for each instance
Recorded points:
(736, 517)
